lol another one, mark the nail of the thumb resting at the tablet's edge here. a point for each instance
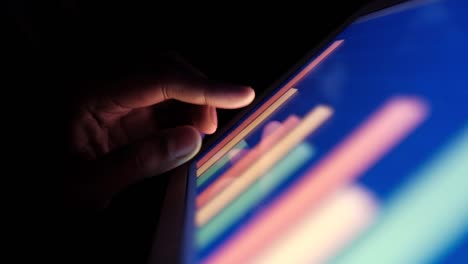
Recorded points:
(183, 142)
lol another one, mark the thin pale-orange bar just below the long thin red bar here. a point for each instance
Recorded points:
(242, 134)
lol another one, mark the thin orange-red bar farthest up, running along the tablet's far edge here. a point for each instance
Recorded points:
(270, 101)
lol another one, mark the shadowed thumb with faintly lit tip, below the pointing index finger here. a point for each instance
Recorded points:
(117, 170)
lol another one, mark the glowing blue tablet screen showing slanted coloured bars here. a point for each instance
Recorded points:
(361, 156)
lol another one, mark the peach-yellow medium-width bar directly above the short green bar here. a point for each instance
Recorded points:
(313, 120)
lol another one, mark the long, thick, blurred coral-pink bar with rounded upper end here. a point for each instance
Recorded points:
(361, 150)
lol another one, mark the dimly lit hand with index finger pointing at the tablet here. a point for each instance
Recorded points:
(143, 127)
